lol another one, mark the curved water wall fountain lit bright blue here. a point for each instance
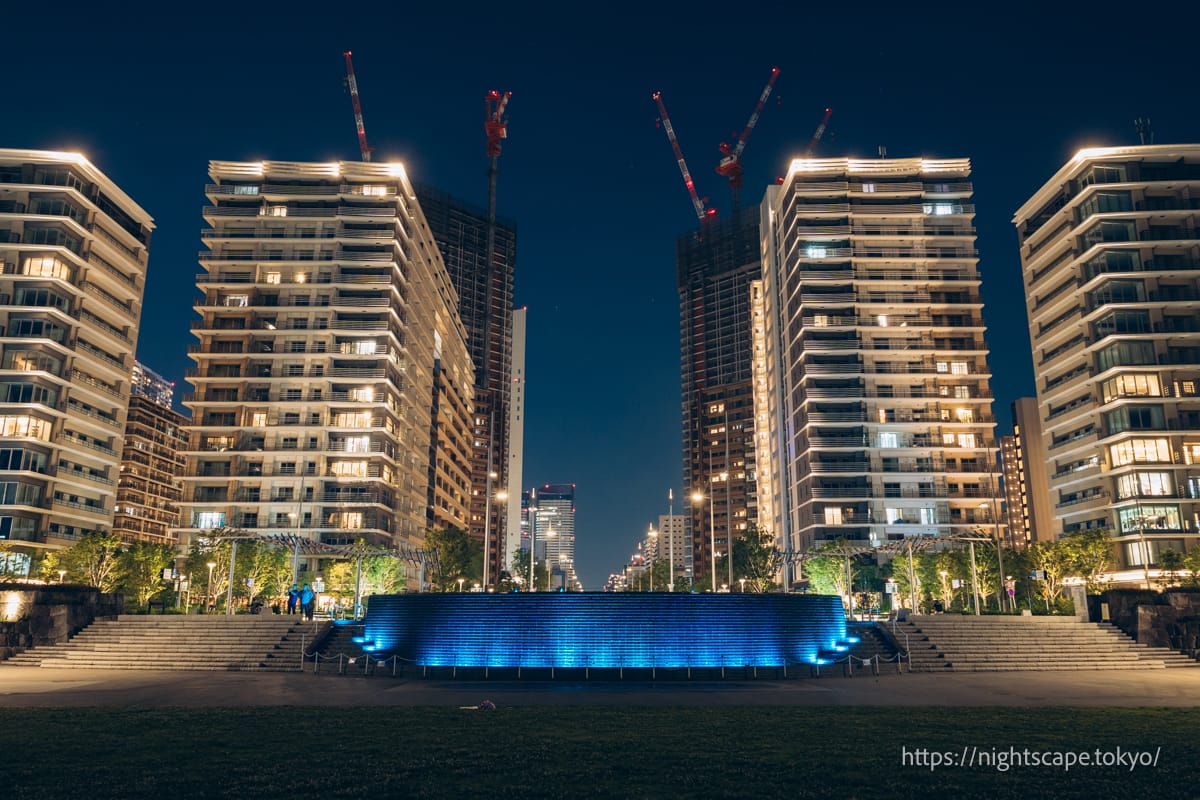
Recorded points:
(605, 629)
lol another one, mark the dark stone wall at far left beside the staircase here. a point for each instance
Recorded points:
(39, 616)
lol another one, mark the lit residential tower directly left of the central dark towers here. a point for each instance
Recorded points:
(327, 320)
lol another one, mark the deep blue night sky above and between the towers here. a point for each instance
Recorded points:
(586, 173)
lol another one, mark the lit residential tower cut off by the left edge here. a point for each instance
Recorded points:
(75, 249)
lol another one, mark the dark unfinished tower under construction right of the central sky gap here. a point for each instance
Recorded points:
(715, 269)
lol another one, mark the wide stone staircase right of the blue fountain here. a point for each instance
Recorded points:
(941, 643)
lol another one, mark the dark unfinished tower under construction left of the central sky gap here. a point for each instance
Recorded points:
(485, 305)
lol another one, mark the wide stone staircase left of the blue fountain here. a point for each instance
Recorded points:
(247, 642)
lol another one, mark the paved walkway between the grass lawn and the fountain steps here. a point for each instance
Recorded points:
(44, 688)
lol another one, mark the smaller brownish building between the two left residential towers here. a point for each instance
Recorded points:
(148, 491)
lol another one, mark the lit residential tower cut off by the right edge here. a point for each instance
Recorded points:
(1111, 251)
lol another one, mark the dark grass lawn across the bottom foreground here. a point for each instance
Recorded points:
(316, 754)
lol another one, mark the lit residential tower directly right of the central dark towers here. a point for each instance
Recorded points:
(877, 364)
